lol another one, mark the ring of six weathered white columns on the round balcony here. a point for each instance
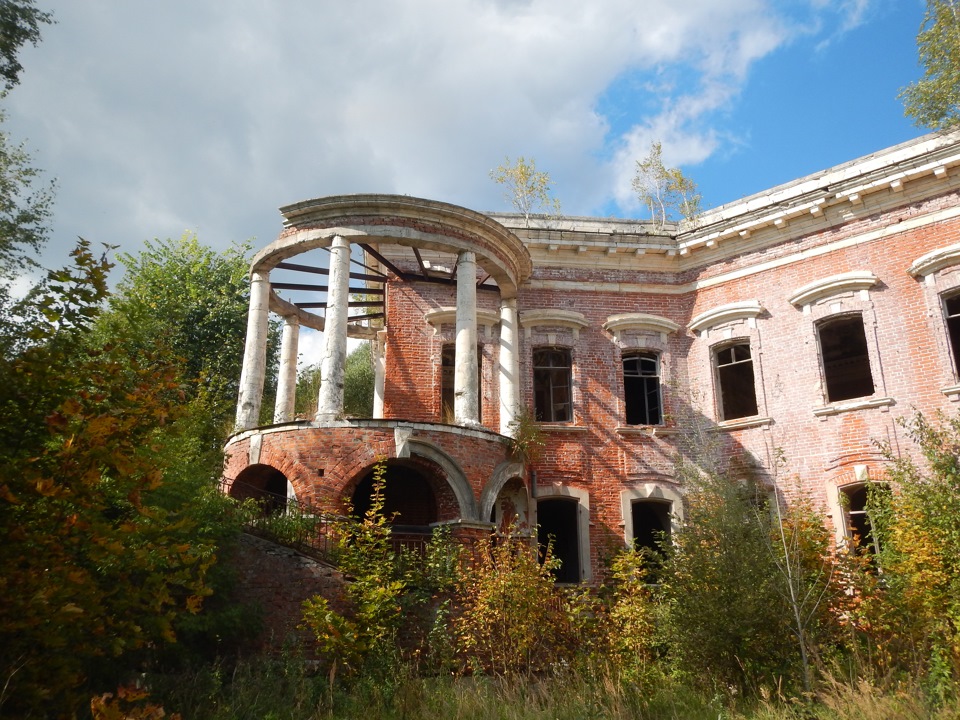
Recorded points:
(334, 351)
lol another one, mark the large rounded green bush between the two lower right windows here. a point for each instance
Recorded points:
(727, 622)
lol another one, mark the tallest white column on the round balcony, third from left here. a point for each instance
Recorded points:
(334, 356)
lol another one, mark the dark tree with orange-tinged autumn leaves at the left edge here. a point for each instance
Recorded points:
(96, 562)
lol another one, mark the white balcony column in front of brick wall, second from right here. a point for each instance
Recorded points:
(466, 400)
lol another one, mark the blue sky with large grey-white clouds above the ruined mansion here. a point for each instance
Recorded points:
(164, 117)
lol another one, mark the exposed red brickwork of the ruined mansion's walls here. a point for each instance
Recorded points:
(595, 458)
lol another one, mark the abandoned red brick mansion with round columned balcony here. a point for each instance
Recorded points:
(799, 323)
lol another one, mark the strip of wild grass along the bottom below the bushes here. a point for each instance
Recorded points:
(283, 689)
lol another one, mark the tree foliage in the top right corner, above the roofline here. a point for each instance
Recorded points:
(934, 100)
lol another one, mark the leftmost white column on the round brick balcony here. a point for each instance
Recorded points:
(254, 352)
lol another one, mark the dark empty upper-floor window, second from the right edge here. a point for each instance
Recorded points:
(846, 362)
